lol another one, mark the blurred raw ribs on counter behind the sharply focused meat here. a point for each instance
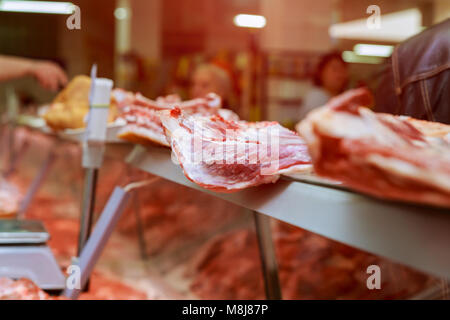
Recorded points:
(142, 114)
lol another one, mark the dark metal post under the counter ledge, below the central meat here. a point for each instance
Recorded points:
(268, 258)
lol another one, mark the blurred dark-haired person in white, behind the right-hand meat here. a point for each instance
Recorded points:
(330, 79)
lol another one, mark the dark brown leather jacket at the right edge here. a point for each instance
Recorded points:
(417, 80)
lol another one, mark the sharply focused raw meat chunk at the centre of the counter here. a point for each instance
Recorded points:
(227, 156)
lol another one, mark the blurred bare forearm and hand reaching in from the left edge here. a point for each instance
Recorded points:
(49, 75)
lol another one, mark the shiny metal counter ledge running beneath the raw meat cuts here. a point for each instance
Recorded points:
(417, 236)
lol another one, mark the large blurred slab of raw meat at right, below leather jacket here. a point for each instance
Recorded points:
(380, 154)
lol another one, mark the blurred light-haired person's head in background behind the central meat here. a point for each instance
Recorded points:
(211, 78)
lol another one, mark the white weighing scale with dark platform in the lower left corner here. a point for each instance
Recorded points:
(24, 254)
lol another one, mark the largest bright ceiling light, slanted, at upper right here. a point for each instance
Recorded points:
(394, 27)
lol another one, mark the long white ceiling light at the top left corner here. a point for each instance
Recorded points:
(37, 7)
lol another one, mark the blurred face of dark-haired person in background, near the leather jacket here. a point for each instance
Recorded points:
(335, 76)
